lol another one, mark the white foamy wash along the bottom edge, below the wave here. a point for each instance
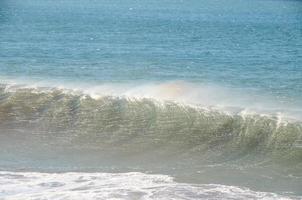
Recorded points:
(133, 185)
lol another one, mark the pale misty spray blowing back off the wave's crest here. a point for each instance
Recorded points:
(228, 100)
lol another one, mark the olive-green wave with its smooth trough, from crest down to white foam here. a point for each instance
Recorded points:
(52, 129)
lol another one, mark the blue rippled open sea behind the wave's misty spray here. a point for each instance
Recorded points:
(234, 43)
